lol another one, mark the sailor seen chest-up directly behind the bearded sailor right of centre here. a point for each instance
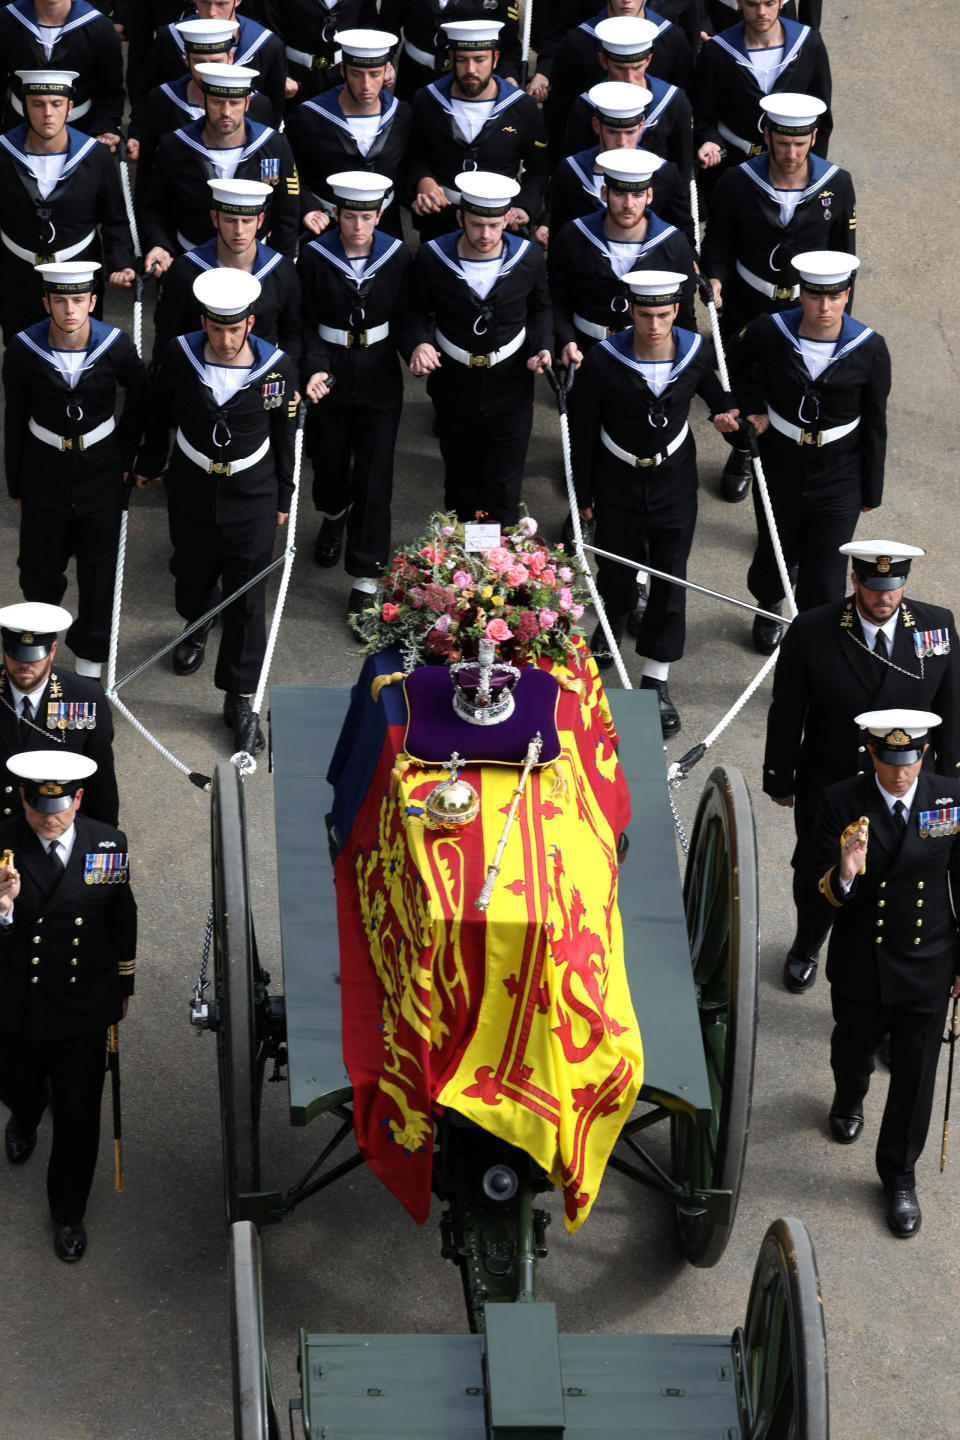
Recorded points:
(618, 125)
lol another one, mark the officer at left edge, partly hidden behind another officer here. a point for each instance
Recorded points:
(42, 708)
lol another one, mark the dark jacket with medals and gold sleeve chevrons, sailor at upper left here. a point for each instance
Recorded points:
(178, 202)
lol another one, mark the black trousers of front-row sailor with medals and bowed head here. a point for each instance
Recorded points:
(230, 555)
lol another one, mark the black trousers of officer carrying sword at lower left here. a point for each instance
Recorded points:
(76, 1072)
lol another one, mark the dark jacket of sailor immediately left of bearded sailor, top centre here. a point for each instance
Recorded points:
(325, 145)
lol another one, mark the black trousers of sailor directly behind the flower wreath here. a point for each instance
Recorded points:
(484, 459)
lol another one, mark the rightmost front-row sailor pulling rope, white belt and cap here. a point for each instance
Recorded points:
(814, 382)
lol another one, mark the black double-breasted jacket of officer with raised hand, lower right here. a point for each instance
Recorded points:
(895, 937)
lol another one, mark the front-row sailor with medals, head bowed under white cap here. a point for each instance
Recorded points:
(232, 400)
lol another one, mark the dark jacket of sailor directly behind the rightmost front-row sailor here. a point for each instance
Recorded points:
(746, 227)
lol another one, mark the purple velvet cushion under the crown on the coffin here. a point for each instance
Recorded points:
(435, 731)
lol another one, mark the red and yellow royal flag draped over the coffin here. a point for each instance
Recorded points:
(517, 1017)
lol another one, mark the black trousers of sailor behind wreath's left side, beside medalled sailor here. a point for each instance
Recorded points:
(352, 449)
